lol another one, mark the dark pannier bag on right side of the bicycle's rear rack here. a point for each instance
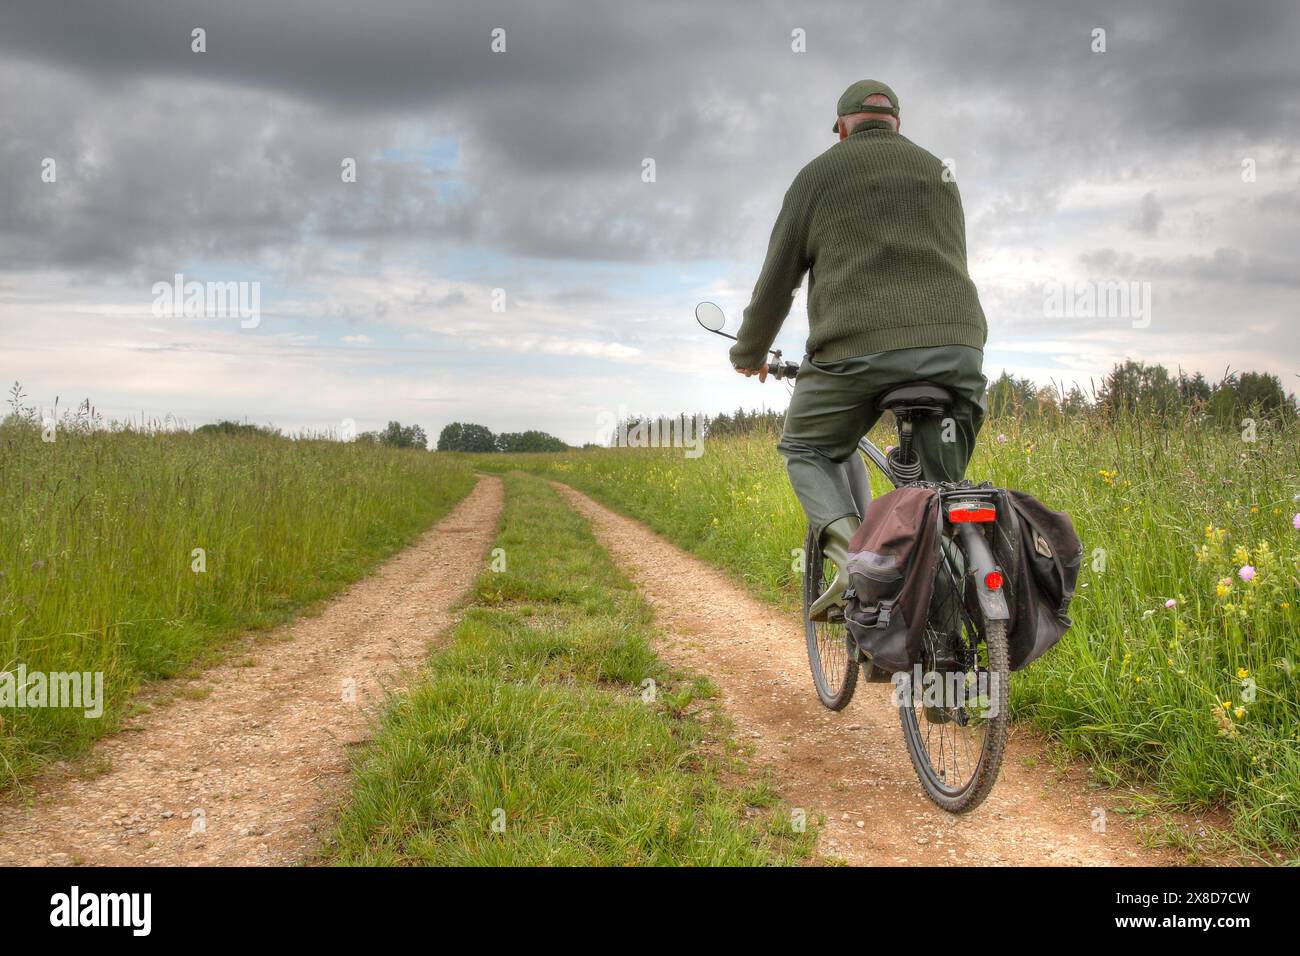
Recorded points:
(1039, 553)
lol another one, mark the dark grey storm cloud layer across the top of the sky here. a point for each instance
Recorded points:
(237, 149)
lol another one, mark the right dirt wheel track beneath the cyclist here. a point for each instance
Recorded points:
(852, 767)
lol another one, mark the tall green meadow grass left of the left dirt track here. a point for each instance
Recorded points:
(99, 569)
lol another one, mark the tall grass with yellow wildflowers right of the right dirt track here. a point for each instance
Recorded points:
(1199, 700)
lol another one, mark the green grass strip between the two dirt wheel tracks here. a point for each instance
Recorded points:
(534, 741)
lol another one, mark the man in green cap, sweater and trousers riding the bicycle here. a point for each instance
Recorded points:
(878, 224)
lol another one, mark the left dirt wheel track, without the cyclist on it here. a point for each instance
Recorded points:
(263, 756)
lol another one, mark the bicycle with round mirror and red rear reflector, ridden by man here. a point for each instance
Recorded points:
(964, 647)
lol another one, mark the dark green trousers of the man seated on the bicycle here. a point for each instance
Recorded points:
(835, 405)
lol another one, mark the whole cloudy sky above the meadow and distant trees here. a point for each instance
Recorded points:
(1169, 159)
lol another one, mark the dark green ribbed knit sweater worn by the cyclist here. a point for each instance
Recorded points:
(885, 240)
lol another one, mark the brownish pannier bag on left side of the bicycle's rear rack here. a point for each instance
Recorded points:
(892, 561)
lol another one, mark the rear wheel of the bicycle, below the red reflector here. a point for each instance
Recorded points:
(955, 723)
